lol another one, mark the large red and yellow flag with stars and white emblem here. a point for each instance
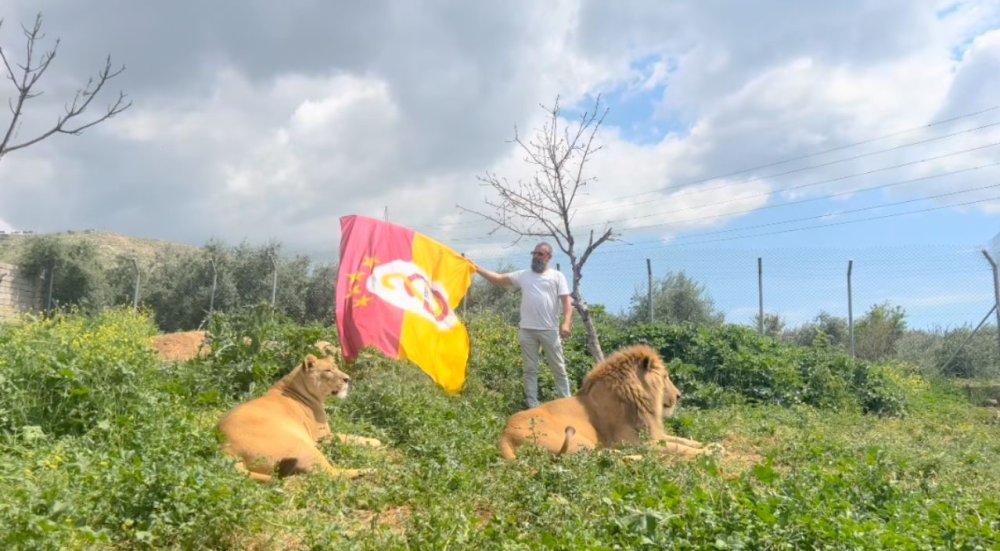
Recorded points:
(397, 291)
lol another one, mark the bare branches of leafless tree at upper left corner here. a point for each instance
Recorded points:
(24, 76)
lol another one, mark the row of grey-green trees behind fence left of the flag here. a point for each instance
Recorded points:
(179, 285)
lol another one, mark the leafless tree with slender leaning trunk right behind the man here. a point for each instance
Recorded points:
(543, 206)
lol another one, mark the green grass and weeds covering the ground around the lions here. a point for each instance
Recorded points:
(137, 466)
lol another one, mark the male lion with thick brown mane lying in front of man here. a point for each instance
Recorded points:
(622, 398)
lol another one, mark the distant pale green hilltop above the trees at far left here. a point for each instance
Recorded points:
(109, 246)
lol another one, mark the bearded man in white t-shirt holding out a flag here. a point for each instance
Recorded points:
(543, 291)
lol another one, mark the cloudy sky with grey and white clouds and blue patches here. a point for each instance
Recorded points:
(734, 127)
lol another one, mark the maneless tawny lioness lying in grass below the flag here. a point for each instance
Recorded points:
(279, 430)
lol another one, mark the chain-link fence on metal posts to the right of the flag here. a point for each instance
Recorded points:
(942, 296)
